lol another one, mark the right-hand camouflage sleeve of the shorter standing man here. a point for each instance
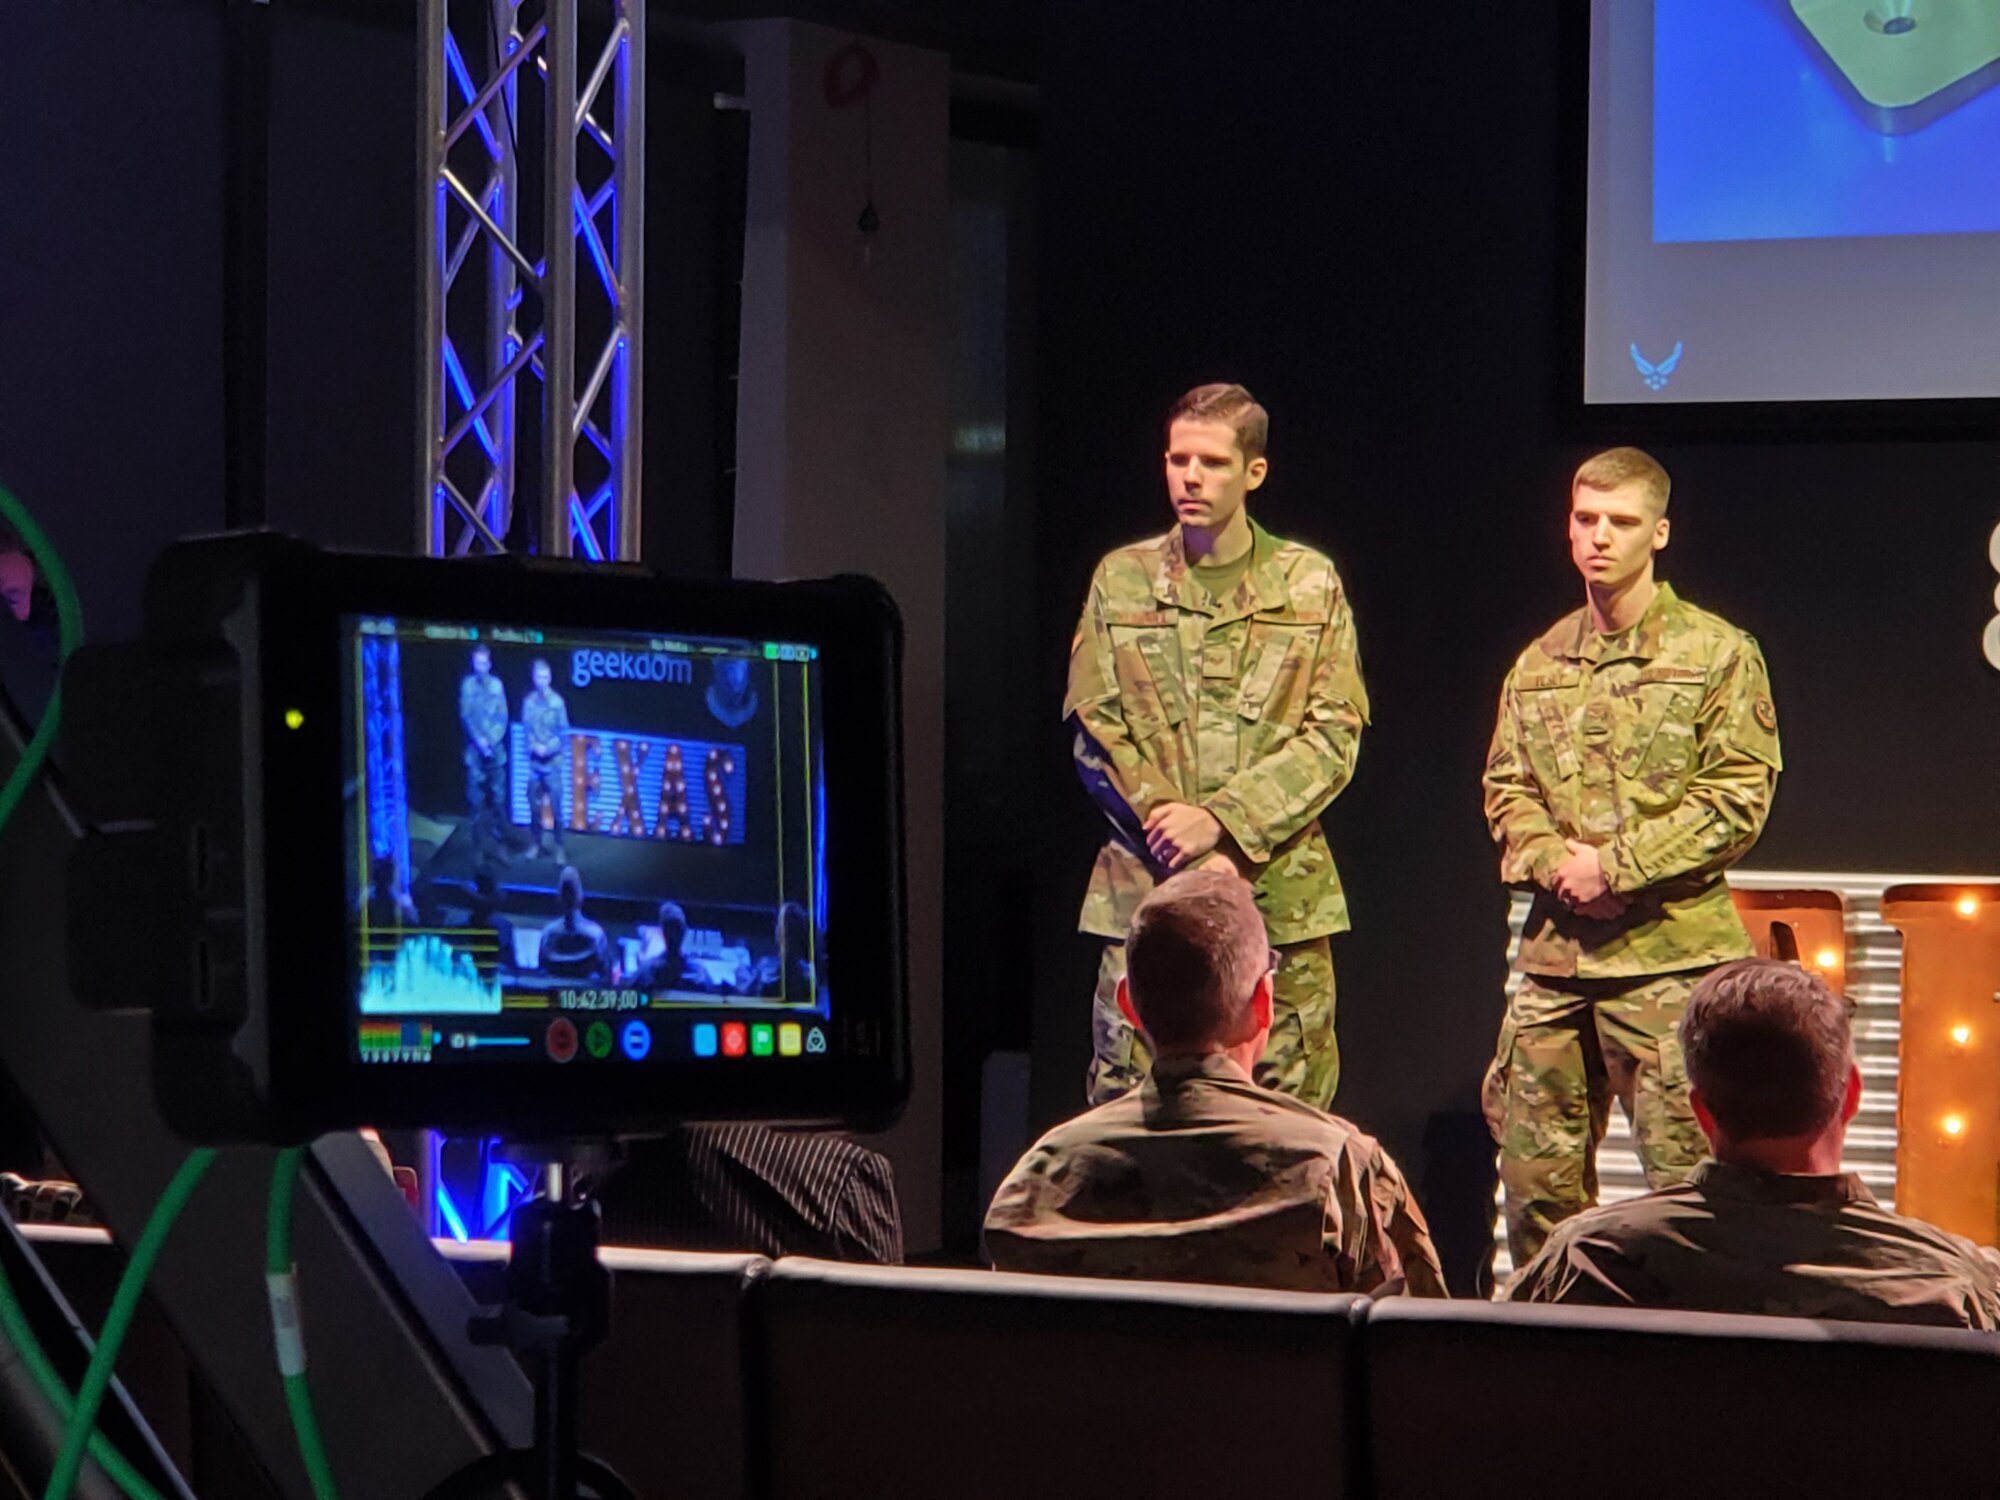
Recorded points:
(1729, 793)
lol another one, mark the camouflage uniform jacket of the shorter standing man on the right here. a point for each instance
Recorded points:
(1659, 747)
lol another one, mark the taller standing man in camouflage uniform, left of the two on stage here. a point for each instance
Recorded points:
(1241, 713)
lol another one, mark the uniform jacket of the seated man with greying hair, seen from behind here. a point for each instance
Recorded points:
(1205, 1177)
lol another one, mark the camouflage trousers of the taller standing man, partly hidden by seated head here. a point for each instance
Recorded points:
(1301, 1059)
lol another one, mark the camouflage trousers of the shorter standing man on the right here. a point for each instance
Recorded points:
(1567, 1047)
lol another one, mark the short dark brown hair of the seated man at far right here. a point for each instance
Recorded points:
(1769, 1045)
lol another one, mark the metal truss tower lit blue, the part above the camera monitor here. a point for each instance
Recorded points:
(533, 259)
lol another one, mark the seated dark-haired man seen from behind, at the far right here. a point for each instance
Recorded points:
(1771, 1223)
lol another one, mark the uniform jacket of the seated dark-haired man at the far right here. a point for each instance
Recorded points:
(1737, 1239)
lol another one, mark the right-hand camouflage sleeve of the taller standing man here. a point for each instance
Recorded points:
(1271, 799)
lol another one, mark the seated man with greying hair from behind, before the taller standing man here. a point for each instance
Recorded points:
(1201, 1175)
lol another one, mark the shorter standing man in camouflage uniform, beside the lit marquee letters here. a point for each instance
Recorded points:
(1629, 769)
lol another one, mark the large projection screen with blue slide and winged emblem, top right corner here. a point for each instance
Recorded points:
(1793, 201)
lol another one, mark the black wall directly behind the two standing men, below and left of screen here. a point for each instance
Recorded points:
(1355, 211)
